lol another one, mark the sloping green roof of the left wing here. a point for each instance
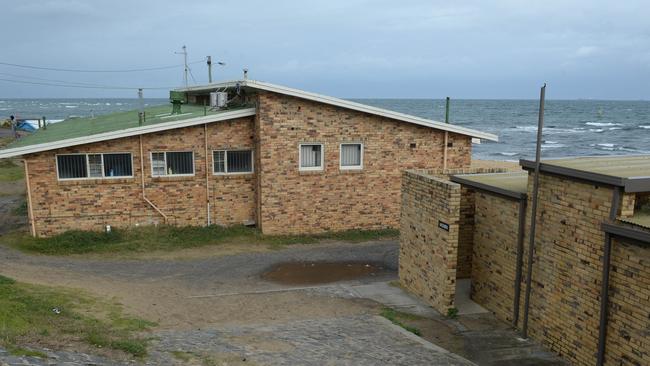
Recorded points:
(87, 126)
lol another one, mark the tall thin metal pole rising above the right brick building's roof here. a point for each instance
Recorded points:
(533, 213)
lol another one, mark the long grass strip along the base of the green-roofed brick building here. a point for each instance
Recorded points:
(169, 238)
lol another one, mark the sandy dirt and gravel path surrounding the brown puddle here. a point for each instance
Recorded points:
(165, 290)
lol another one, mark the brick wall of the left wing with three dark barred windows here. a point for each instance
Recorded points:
(90, 204)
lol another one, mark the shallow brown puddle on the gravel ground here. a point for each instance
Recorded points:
(309, 273)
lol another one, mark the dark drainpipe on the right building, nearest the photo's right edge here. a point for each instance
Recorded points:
(604, 291)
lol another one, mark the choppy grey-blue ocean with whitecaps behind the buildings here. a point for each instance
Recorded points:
(571, 127)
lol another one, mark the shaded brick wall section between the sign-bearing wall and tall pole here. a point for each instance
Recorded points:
(496, 227)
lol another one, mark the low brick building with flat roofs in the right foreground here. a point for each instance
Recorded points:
(590, 282)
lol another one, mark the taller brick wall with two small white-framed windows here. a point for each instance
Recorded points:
(305, 202)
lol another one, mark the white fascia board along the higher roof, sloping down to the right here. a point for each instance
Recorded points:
(347, 104)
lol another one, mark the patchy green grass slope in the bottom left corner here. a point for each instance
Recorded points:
(27, 317)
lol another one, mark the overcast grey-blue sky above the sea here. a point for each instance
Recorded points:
(346, 48)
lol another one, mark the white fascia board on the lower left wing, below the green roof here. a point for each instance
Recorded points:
(134, 131)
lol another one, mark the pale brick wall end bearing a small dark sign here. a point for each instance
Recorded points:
(428, 254)
